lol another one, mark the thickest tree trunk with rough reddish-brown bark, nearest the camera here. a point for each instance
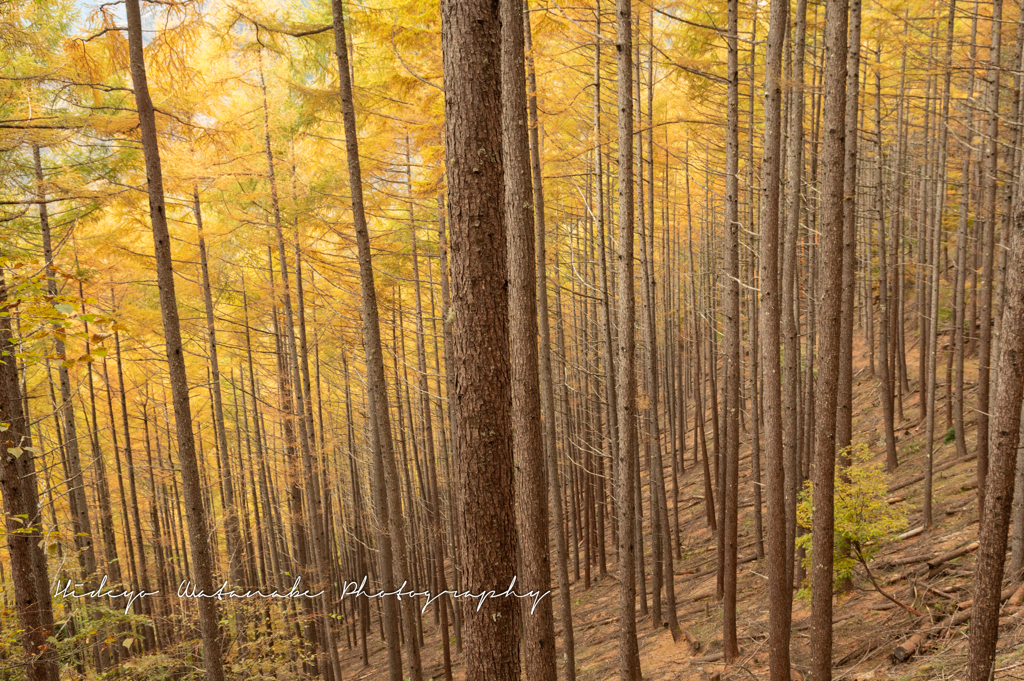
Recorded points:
(482, 391)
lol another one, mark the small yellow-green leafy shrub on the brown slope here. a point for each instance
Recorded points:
(864, 519)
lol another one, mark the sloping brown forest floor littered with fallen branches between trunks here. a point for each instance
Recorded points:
(868, 628)
